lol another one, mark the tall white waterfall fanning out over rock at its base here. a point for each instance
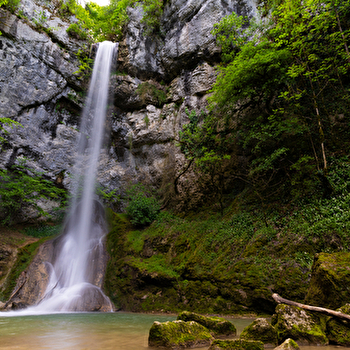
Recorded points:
(75, 279)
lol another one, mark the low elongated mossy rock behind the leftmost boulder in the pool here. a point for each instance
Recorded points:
(217, 325)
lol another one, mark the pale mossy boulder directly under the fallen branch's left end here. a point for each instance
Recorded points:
(294, 322)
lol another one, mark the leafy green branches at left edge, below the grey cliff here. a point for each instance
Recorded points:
(20, 187)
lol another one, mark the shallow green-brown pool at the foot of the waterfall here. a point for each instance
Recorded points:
(88, 331)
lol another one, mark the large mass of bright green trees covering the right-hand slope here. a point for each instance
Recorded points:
(279, 91)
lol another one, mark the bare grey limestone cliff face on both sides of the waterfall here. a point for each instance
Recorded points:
(156, 79)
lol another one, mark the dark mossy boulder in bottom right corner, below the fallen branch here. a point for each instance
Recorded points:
(338, 331)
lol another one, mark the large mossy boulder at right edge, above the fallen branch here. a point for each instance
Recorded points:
(330, 280)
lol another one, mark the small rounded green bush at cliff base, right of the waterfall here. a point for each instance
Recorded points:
(143, 207)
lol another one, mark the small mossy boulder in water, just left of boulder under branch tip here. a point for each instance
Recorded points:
(261, 329)
